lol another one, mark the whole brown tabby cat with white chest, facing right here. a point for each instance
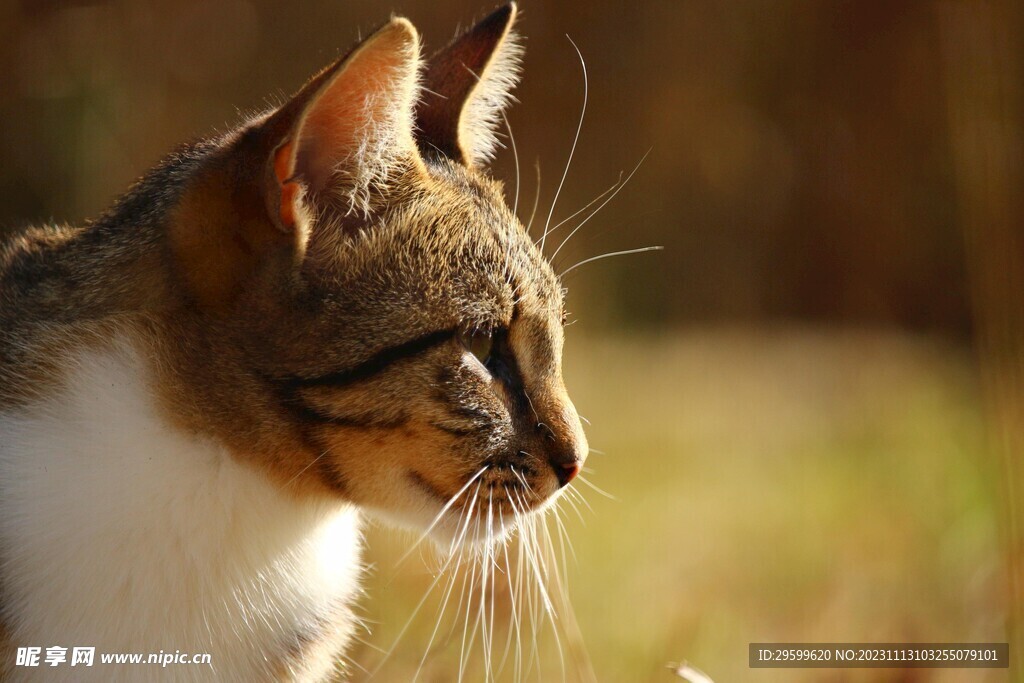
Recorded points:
(327, 313)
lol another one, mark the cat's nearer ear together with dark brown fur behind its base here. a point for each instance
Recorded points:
(340, 140)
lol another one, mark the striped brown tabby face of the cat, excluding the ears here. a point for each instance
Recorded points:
(460, 320)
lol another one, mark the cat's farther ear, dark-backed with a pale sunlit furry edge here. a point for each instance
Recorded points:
(466, 88)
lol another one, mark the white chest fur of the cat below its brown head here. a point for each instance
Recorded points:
(120, 533)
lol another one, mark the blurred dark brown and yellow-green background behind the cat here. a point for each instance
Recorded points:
(808, 406)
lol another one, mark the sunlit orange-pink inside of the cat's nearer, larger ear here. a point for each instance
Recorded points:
(351, 129)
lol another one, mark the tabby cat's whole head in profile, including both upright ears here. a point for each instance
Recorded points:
(359, 312)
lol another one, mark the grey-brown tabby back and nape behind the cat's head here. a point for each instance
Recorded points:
(63, 287)
